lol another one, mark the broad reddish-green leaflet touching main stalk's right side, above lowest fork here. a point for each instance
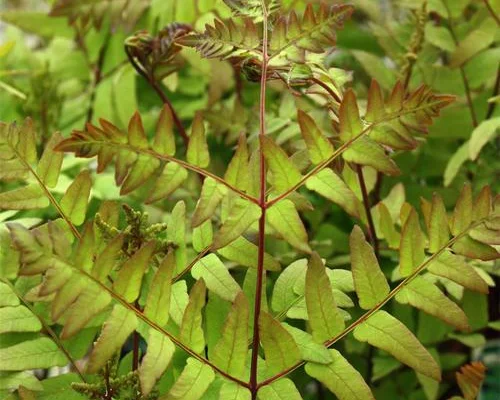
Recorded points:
(279, 346)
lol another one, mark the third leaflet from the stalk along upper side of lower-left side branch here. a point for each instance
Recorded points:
(158, 300)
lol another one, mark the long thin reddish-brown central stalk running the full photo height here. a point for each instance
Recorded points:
(262, 204)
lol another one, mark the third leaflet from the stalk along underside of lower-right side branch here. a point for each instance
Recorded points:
(426, 296)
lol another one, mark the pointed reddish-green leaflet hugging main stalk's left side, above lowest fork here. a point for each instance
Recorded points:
(232, 348)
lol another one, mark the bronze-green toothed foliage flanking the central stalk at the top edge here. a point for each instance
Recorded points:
(291, 40)
